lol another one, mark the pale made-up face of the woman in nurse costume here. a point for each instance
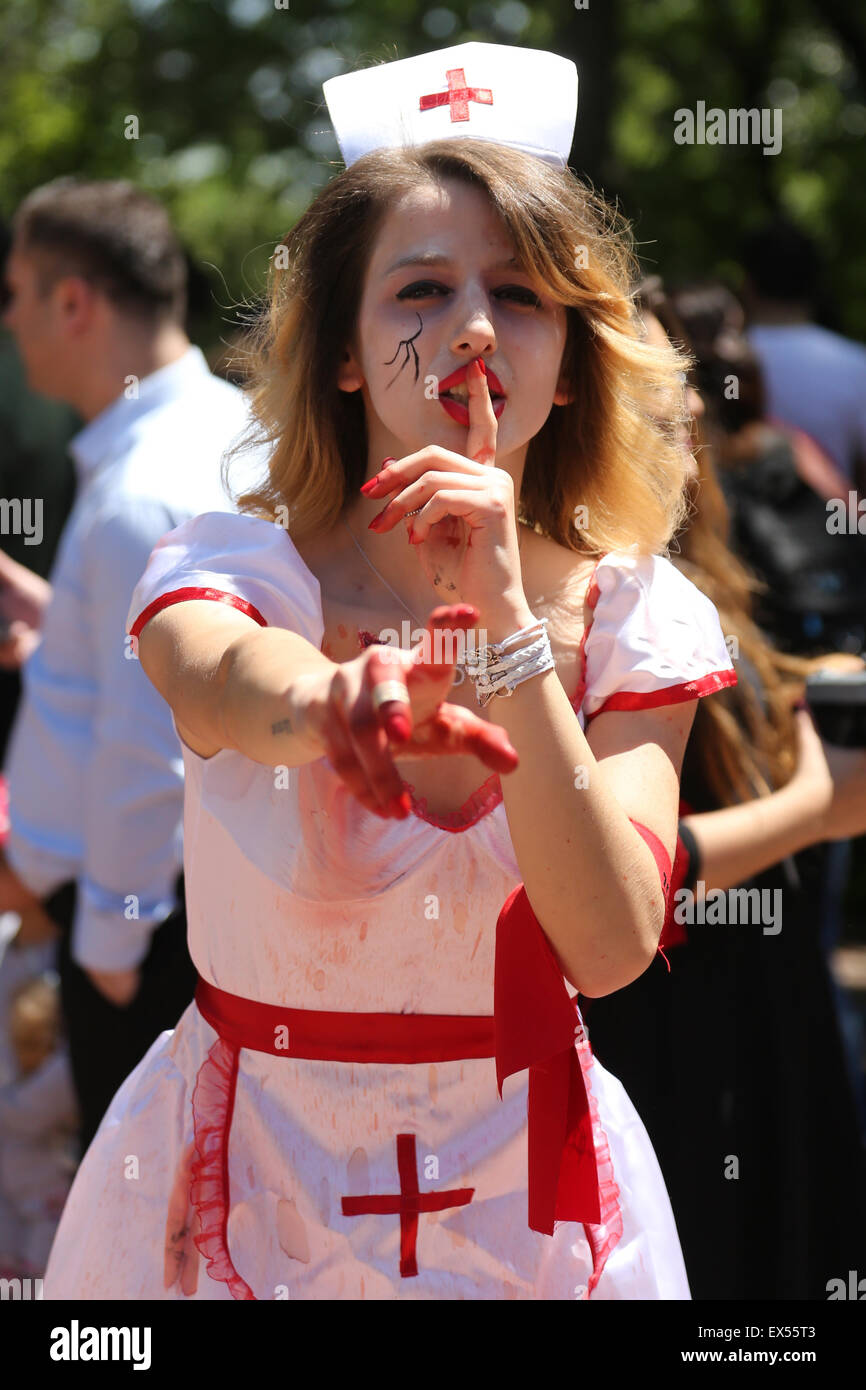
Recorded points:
(440, 293)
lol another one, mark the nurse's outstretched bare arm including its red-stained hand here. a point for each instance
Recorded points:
(273, 697)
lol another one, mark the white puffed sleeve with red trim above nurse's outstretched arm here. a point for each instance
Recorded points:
(237, 559)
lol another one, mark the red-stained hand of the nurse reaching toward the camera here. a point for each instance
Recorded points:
(336, 710)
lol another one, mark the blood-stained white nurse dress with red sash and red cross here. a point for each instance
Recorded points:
(343, 1136)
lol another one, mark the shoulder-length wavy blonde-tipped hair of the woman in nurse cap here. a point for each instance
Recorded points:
(610, 451)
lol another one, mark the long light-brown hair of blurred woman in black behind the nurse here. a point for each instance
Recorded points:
(744, 739)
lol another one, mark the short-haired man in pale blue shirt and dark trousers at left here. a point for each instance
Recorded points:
(98, 286)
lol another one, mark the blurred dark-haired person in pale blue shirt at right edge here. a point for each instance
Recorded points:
(815, 380)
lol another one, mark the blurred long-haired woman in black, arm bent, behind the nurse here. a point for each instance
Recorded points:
(733, 1058)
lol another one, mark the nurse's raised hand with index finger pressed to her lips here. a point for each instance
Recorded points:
(468, 529)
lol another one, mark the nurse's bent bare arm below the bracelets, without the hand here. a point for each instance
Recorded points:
(589, 874)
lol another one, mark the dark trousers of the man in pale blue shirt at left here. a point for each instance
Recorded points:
(108, 1042)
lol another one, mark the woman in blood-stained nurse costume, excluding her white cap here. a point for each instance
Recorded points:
(391, 885)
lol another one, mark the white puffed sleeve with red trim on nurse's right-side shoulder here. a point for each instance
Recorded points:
(655, 639)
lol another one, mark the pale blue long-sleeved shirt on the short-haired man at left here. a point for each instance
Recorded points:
(94, 765)
